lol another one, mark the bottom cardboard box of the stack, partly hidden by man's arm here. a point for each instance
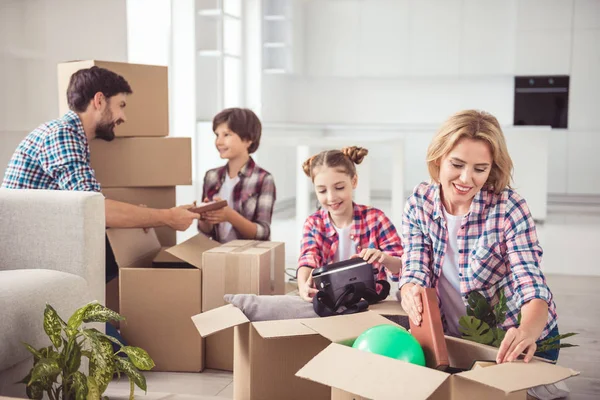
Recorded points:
(158, 197)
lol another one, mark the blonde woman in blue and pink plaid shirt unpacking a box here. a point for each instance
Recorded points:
(469, 231)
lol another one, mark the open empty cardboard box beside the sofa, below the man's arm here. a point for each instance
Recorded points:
(158, 302)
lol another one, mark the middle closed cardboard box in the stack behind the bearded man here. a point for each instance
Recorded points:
(142, 162)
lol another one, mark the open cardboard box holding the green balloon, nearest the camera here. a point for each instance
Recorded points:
(386, 378)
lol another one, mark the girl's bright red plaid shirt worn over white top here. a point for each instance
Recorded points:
(371, 228)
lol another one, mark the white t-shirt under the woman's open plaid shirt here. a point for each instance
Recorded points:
(453, 306)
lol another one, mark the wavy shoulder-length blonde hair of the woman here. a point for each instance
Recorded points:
(476, 125)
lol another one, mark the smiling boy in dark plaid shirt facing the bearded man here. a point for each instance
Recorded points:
(248, 189)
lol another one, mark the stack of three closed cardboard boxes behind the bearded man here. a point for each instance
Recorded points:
(142, 165)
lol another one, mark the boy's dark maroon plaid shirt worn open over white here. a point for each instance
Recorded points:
(253, 196)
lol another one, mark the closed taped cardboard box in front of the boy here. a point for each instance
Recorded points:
(240, 266)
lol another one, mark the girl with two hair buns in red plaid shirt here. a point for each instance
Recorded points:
(342, 229)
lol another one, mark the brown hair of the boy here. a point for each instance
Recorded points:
(243, 122)
